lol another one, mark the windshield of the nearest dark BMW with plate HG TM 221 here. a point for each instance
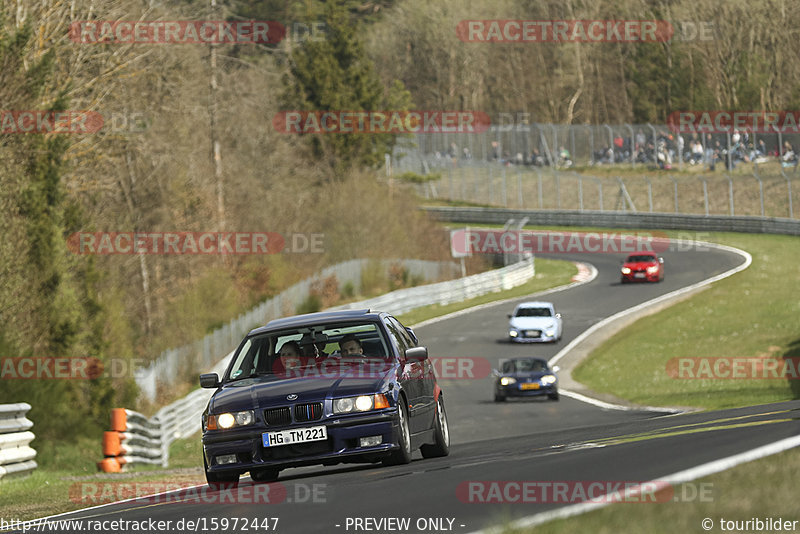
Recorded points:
(275, 353)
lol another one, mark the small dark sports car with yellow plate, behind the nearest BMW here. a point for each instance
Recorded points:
(526, 377)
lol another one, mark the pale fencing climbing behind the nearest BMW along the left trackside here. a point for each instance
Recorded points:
(181, 364)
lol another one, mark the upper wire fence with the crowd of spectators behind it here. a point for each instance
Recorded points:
(514, 140)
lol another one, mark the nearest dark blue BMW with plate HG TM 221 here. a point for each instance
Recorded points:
(322, 388)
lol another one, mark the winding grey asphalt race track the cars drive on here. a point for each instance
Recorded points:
(530, 440)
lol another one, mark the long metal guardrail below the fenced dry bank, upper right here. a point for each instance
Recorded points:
(602, 219)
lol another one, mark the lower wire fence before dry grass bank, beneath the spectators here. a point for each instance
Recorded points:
(759, 194)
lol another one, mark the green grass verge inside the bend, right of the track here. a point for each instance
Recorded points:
(749, 315)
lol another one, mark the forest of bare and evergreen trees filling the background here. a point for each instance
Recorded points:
(188, 145)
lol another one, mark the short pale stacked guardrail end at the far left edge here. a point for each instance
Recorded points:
(16, 455)
